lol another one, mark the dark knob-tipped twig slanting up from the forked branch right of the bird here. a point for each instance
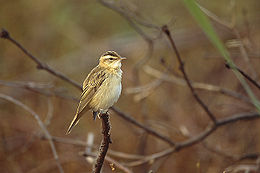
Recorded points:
(181, 66)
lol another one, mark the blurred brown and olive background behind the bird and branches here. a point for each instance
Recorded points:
(70, 36)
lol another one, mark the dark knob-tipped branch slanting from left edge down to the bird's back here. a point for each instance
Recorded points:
(40, 65)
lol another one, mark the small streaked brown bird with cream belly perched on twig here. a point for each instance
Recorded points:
(101, 88)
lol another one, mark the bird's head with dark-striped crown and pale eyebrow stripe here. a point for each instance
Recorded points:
(111, 59)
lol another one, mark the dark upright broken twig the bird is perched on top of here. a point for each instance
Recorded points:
(105, 143)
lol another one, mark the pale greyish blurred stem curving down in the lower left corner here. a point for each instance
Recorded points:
(41, 124)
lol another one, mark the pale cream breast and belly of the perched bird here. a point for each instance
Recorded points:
(106, 95)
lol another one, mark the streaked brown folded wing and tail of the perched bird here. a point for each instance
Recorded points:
(91, 84)
